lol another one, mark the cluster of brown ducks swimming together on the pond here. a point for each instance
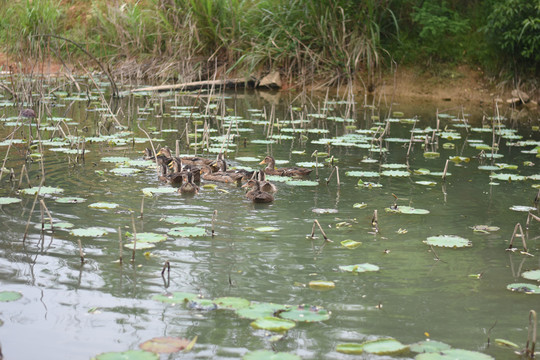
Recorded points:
(186, 172)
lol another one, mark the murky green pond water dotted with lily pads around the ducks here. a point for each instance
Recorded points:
(75, 310)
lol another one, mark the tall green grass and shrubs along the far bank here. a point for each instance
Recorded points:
(336, 40)
